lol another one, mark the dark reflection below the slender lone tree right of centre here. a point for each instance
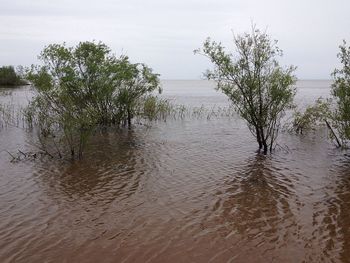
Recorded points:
(256, 199)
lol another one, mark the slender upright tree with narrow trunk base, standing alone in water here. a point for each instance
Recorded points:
(251, 77)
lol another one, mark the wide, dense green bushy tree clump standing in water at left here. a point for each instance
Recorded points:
(84, 87)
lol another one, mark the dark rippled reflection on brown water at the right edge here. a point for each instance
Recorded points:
(333, 214)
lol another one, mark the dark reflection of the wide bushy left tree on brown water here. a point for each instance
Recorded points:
(97, 172)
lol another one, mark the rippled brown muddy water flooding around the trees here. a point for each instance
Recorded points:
(190, 190)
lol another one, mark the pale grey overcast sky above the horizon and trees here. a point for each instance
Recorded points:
(164, 33)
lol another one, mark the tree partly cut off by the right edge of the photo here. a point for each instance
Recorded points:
(341, 93)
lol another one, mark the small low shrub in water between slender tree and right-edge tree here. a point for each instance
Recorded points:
(313, 116)
